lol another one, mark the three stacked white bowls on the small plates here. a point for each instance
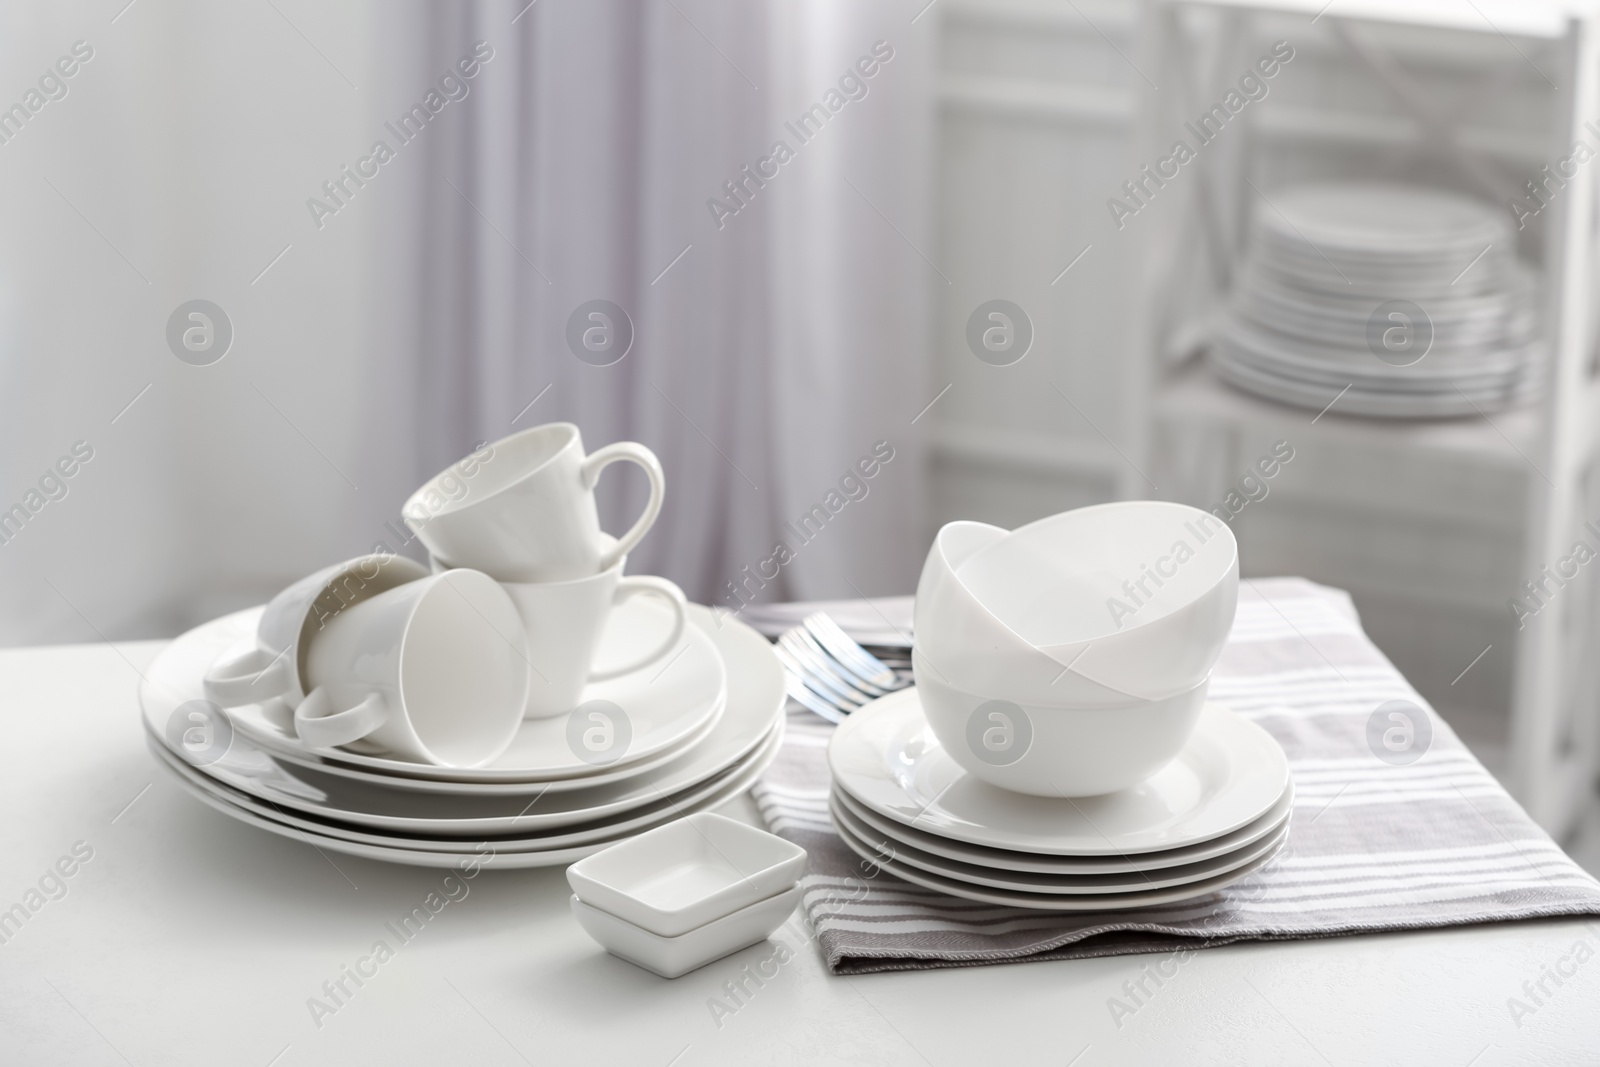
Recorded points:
(1071, 657)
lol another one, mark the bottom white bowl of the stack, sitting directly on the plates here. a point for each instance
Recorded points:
(1054, 751)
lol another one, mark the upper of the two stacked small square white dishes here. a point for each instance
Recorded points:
(687, 874)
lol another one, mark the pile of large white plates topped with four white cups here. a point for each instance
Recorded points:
(521, 703)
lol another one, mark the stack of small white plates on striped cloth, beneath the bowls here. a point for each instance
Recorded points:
(1212, 817)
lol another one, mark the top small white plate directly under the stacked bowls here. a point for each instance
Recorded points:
(1228, 775)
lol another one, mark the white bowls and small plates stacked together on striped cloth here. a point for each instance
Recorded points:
(1058, 751)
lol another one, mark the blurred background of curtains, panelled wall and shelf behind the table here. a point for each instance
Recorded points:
(956, 234)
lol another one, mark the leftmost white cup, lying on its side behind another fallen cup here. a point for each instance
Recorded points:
(278, 665)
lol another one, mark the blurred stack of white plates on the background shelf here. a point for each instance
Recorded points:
(1407, 300)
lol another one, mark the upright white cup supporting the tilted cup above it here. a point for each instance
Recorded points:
(564, 623)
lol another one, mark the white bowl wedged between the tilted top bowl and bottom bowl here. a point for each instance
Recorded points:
(974, 650)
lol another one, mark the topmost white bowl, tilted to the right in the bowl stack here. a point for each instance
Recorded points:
(1135, 596)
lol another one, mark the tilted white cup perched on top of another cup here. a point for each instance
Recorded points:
(524, 508)
